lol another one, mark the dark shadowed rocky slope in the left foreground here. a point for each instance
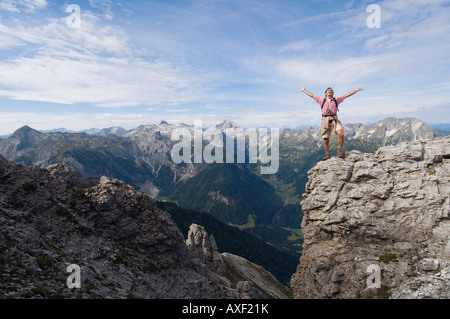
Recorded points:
(125, 246)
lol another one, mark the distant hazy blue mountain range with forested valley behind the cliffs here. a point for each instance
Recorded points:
(266, 206)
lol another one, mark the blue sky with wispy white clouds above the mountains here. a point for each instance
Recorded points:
(140, 62)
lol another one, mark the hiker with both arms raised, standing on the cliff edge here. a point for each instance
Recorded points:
(330, 122)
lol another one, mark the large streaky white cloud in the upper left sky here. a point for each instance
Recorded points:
(94, 64)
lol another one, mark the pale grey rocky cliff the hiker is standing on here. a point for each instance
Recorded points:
(377, 225)
